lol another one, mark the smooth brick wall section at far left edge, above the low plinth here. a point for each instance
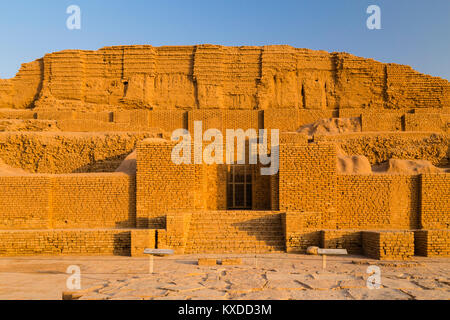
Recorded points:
(25, 202)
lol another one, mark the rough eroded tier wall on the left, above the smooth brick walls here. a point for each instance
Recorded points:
(62, 152)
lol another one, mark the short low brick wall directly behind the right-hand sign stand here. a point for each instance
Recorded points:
(342, 239)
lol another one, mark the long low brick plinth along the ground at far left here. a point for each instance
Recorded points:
(65, 242)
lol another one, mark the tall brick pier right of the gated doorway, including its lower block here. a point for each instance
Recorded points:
(306, 190)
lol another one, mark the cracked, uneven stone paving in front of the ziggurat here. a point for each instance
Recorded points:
(269, 276)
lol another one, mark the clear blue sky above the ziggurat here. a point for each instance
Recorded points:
(414, 32)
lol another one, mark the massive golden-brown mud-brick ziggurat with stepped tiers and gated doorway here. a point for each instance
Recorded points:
(364, 152)
